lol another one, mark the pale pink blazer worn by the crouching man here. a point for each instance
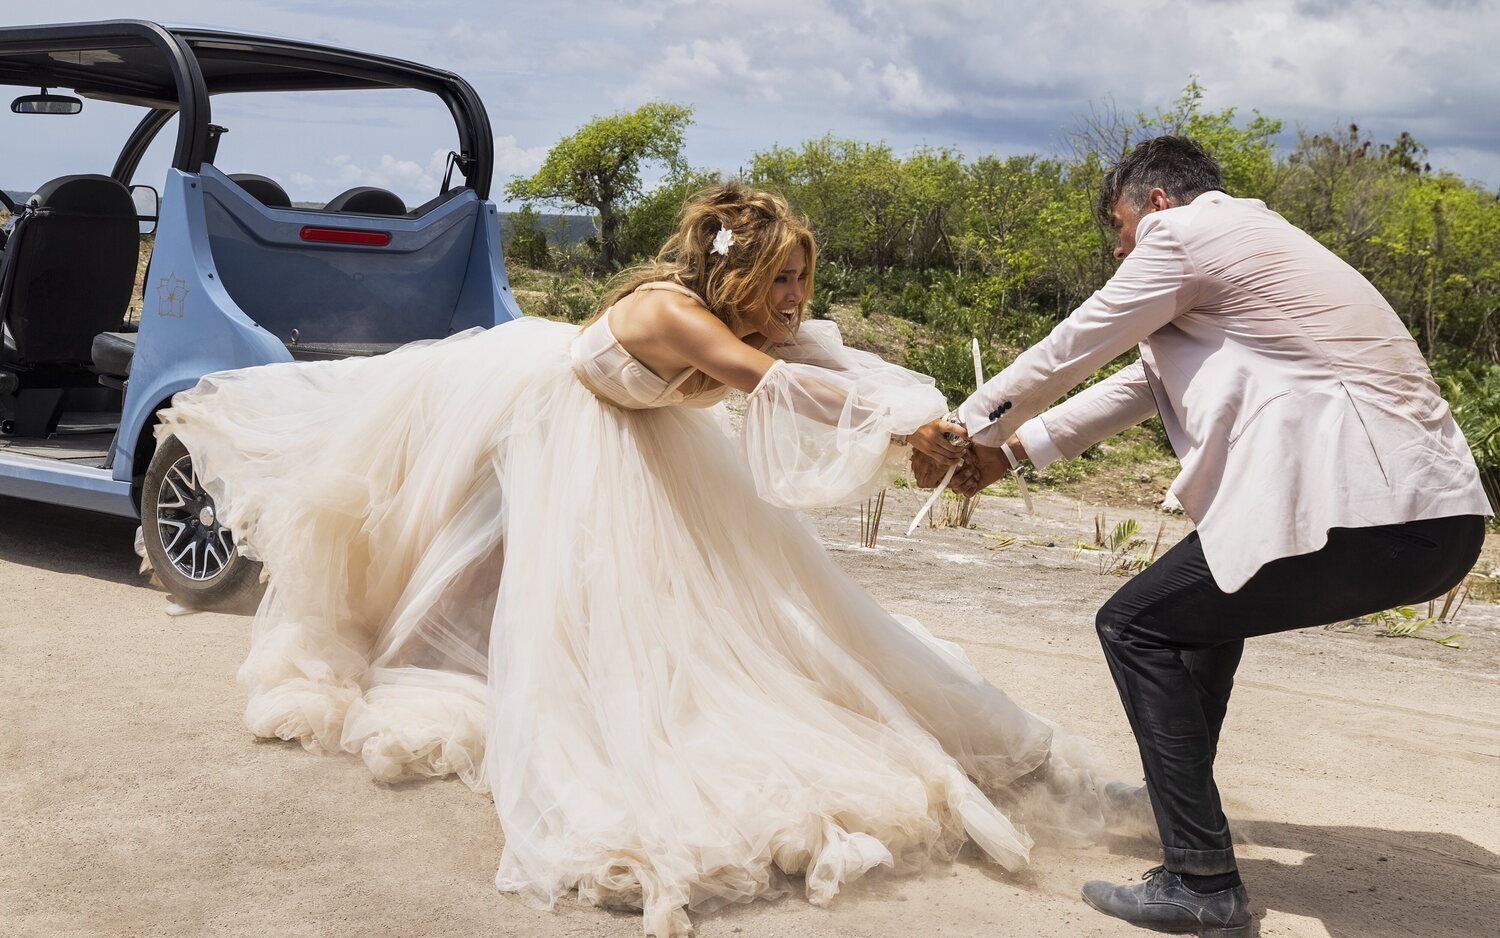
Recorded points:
(1291, 391)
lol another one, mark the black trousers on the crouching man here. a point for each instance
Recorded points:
(1174, 642)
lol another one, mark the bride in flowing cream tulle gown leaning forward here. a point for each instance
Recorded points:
(526, 558)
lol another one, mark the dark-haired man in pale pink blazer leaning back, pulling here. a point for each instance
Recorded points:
(1324, 472)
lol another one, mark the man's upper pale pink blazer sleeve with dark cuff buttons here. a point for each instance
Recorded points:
(1154, 286)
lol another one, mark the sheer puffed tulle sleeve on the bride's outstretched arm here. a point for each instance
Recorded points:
(818, 428)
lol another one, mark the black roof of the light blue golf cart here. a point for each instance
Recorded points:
(179, 68)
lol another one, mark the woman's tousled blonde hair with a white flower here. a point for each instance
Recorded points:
(739, 281)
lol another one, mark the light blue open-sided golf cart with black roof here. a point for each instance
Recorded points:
(238, 275)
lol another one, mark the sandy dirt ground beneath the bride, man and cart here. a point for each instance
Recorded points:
(1363, 774)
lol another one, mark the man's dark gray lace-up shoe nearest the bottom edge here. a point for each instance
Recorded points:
(1163, 904)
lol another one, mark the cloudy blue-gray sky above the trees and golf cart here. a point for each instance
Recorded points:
(1004, 77)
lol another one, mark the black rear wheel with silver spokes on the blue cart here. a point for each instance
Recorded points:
(191, 553)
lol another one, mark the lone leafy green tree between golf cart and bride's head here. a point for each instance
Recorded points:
(599, 166)
